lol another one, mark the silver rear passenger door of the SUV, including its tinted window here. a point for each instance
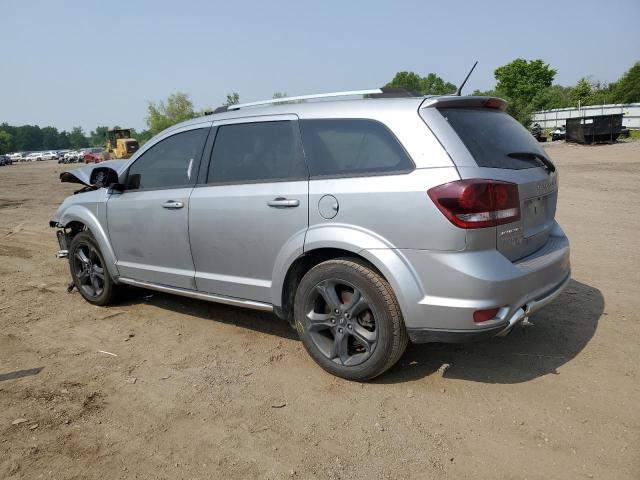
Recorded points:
(251, 210)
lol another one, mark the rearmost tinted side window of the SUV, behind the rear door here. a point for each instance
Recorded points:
(352, 147)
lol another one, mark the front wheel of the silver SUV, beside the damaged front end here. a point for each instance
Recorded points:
(89, 272)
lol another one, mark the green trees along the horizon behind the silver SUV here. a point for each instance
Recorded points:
(527, 85)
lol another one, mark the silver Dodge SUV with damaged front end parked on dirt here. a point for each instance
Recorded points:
(364, 223)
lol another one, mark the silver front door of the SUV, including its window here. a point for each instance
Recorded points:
(148, 222)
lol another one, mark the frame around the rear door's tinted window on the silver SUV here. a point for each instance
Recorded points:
(208, 155)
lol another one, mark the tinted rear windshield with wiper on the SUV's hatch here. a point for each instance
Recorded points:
(491, 135)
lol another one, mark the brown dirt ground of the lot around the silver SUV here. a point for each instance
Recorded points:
(197, 391)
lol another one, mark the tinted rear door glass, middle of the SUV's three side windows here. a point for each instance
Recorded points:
(256, 152)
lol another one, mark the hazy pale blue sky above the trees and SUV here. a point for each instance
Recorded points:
(88, 63)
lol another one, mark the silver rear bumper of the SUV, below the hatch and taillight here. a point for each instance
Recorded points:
(456, 284)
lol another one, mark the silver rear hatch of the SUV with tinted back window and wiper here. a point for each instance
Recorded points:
(486, 143)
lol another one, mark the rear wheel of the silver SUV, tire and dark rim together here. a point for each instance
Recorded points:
(349, 320)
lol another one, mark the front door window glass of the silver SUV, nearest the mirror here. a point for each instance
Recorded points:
(172, 162)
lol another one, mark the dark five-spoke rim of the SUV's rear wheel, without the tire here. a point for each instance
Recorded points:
(341, 322)
